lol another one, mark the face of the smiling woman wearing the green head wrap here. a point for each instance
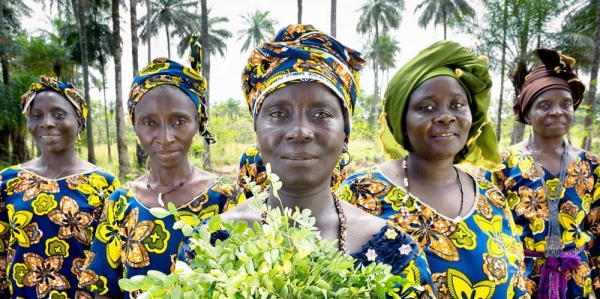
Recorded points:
(438, 118)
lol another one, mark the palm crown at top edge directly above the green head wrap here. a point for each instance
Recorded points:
(444, 12)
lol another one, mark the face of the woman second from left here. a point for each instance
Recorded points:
(166, 122)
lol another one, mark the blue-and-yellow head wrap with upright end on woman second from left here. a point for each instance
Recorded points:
(163, 71)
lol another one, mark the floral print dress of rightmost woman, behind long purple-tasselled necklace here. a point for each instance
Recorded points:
(578, 215)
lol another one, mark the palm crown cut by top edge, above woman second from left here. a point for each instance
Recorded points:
(170, 14)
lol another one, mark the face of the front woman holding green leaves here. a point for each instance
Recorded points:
(300, 132)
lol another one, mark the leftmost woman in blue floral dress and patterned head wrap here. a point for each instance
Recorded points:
(50, 206)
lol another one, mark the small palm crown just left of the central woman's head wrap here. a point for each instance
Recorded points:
(259, 27)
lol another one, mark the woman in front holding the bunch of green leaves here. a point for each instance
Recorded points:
(301, 88)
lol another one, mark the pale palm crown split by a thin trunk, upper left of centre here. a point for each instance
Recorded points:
(217, 36)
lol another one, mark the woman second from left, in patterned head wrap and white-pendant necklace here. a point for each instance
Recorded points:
(167, 109)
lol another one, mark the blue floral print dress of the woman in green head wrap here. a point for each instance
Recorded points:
(477, 256)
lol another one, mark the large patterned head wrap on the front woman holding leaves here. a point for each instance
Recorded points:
(301, 53)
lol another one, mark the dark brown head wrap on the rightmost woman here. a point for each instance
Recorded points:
(555, 73)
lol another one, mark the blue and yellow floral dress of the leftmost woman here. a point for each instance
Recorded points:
(46, 227)
